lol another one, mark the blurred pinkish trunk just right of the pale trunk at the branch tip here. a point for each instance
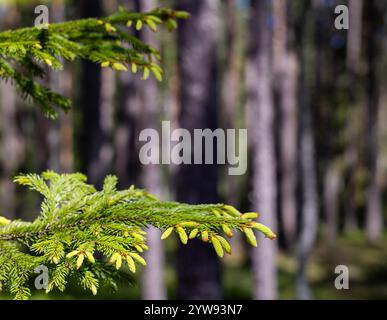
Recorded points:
(285, 66)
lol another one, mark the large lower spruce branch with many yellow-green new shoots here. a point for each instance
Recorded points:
(77, 221)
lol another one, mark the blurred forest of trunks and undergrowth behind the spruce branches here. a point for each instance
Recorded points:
(313, 99)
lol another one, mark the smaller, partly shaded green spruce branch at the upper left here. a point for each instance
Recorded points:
(26, 53)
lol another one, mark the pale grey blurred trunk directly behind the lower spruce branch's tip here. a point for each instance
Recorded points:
(260, 118)
